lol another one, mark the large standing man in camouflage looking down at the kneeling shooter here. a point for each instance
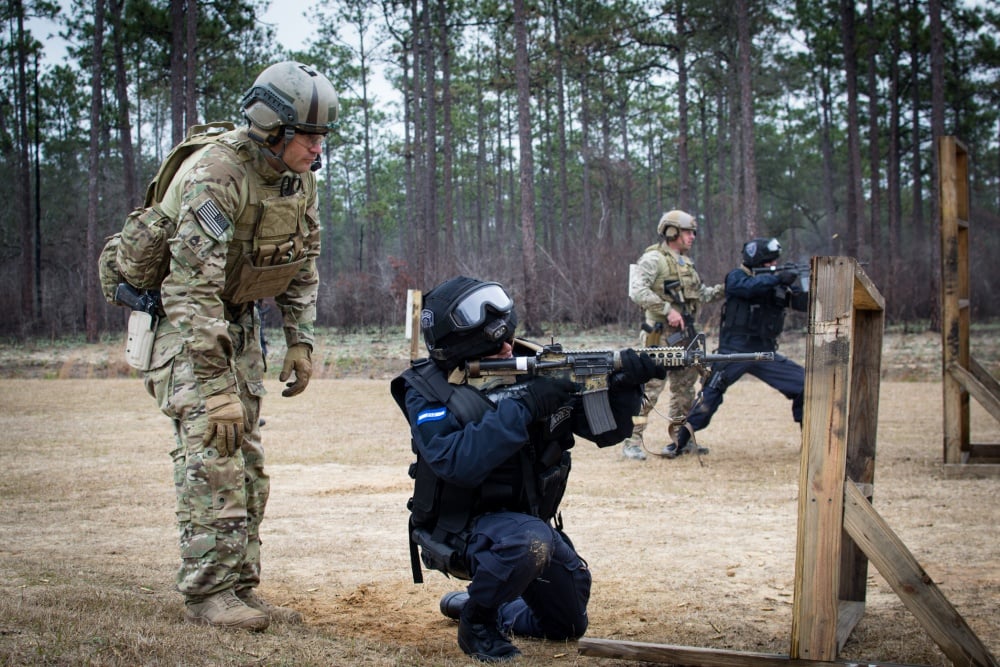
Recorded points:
(247, 229)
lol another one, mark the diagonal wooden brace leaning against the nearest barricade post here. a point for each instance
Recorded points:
(913, 586)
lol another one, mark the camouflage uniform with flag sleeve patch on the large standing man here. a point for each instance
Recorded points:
(230, 205)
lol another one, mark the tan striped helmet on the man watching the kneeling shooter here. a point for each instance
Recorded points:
(292, 96)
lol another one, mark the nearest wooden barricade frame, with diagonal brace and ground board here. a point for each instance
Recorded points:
(839, 532)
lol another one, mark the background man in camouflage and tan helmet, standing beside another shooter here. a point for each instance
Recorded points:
(661, 263)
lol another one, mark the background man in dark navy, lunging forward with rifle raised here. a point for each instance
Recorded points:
(752, 319)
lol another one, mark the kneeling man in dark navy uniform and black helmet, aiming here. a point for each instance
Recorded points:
(491, 468)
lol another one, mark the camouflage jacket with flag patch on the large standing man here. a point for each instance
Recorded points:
(229, 204)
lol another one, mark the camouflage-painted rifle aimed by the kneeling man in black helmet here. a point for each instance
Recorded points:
(590, 371)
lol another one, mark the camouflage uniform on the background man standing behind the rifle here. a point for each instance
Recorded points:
(659, 263)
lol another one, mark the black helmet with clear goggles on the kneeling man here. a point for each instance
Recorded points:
(464, 318)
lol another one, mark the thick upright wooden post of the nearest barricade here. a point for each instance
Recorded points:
(843, 357)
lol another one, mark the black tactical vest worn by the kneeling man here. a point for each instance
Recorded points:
(531, 481)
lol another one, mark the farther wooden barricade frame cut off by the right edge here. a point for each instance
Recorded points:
(962, 375)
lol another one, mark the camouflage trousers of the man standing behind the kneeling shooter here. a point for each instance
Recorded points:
(220, 500)
